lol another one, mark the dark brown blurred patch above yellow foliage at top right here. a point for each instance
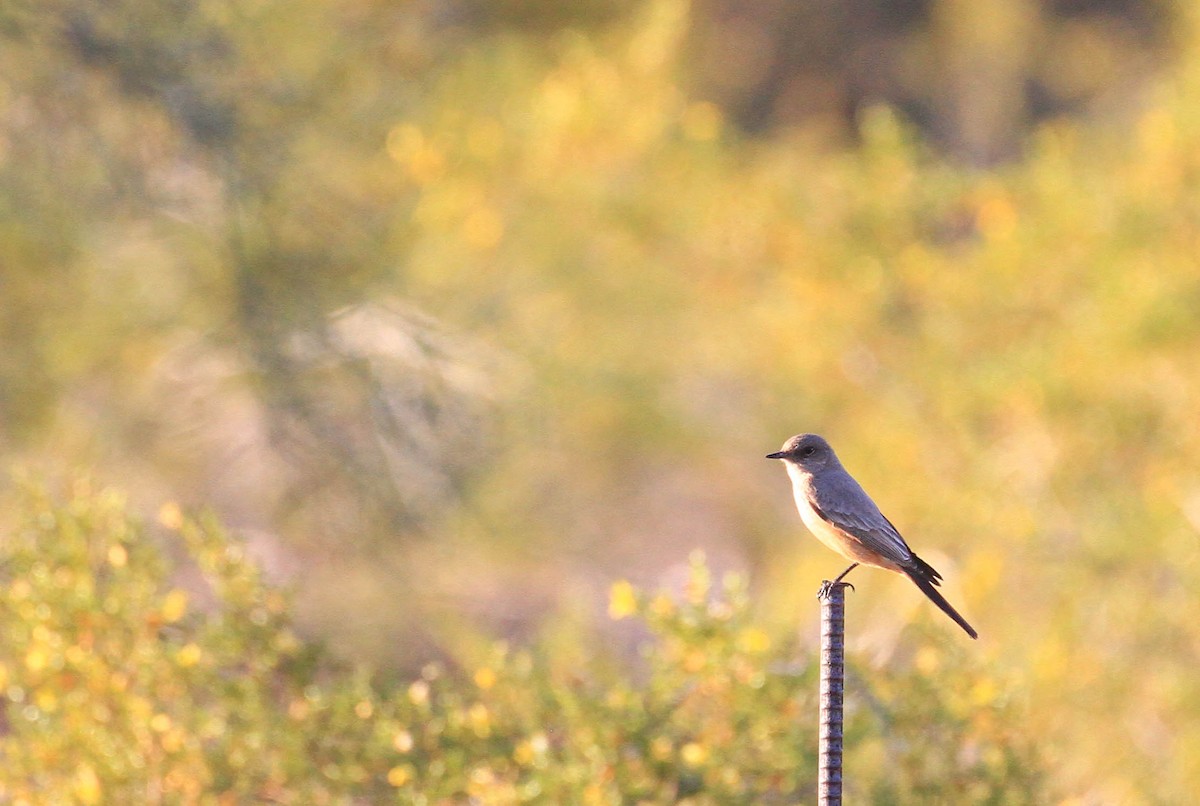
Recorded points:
(976, 77)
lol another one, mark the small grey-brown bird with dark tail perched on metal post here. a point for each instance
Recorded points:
(839, 513)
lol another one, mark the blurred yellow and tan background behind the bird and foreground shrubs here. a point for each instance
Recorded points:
(459, 311)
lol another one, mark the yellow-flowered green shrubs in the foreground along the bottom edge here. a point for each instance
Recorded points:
(131, 679)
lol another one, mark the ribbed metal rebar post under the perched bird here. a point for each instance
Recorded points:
(833, 683)
